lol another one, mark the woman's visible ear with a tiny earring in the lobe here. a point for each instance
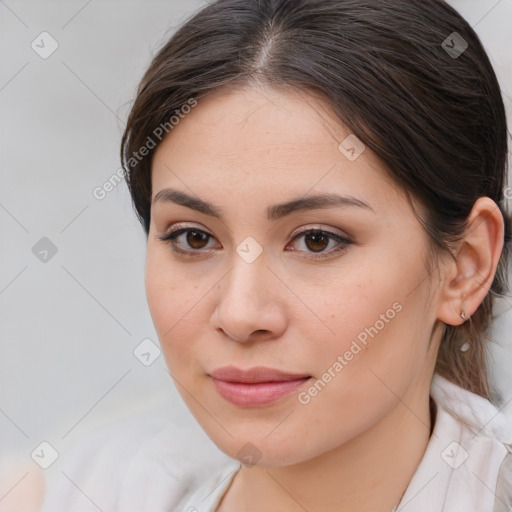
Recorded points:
(469, 276)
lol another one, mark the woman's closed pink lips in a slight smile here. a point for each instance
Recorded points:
(255, 387)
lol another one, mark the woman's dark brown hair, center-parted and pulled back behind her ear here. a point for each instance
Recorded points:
(392, 70)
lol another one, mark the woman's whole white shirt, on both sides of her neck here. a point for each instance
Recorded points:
(467, 467)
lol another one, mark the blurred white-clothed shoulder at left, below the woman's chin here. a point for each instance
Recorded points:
(143, 464)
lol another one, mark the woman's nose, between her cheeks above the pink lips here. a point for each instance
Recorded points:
(250, 304)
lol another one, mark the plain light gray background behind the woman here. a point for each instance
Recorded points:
(69, 325)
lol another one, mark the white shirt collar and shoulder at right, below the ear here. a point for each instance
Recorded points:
(467, 463)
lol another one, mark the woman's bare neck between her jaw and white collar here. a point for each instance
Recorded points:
(370, 473)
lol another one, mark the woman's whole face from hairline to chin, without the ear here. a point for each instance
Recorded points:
(346, 311)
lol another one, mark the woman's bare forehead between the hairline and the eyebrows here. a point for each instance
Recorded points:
(253, 140)
